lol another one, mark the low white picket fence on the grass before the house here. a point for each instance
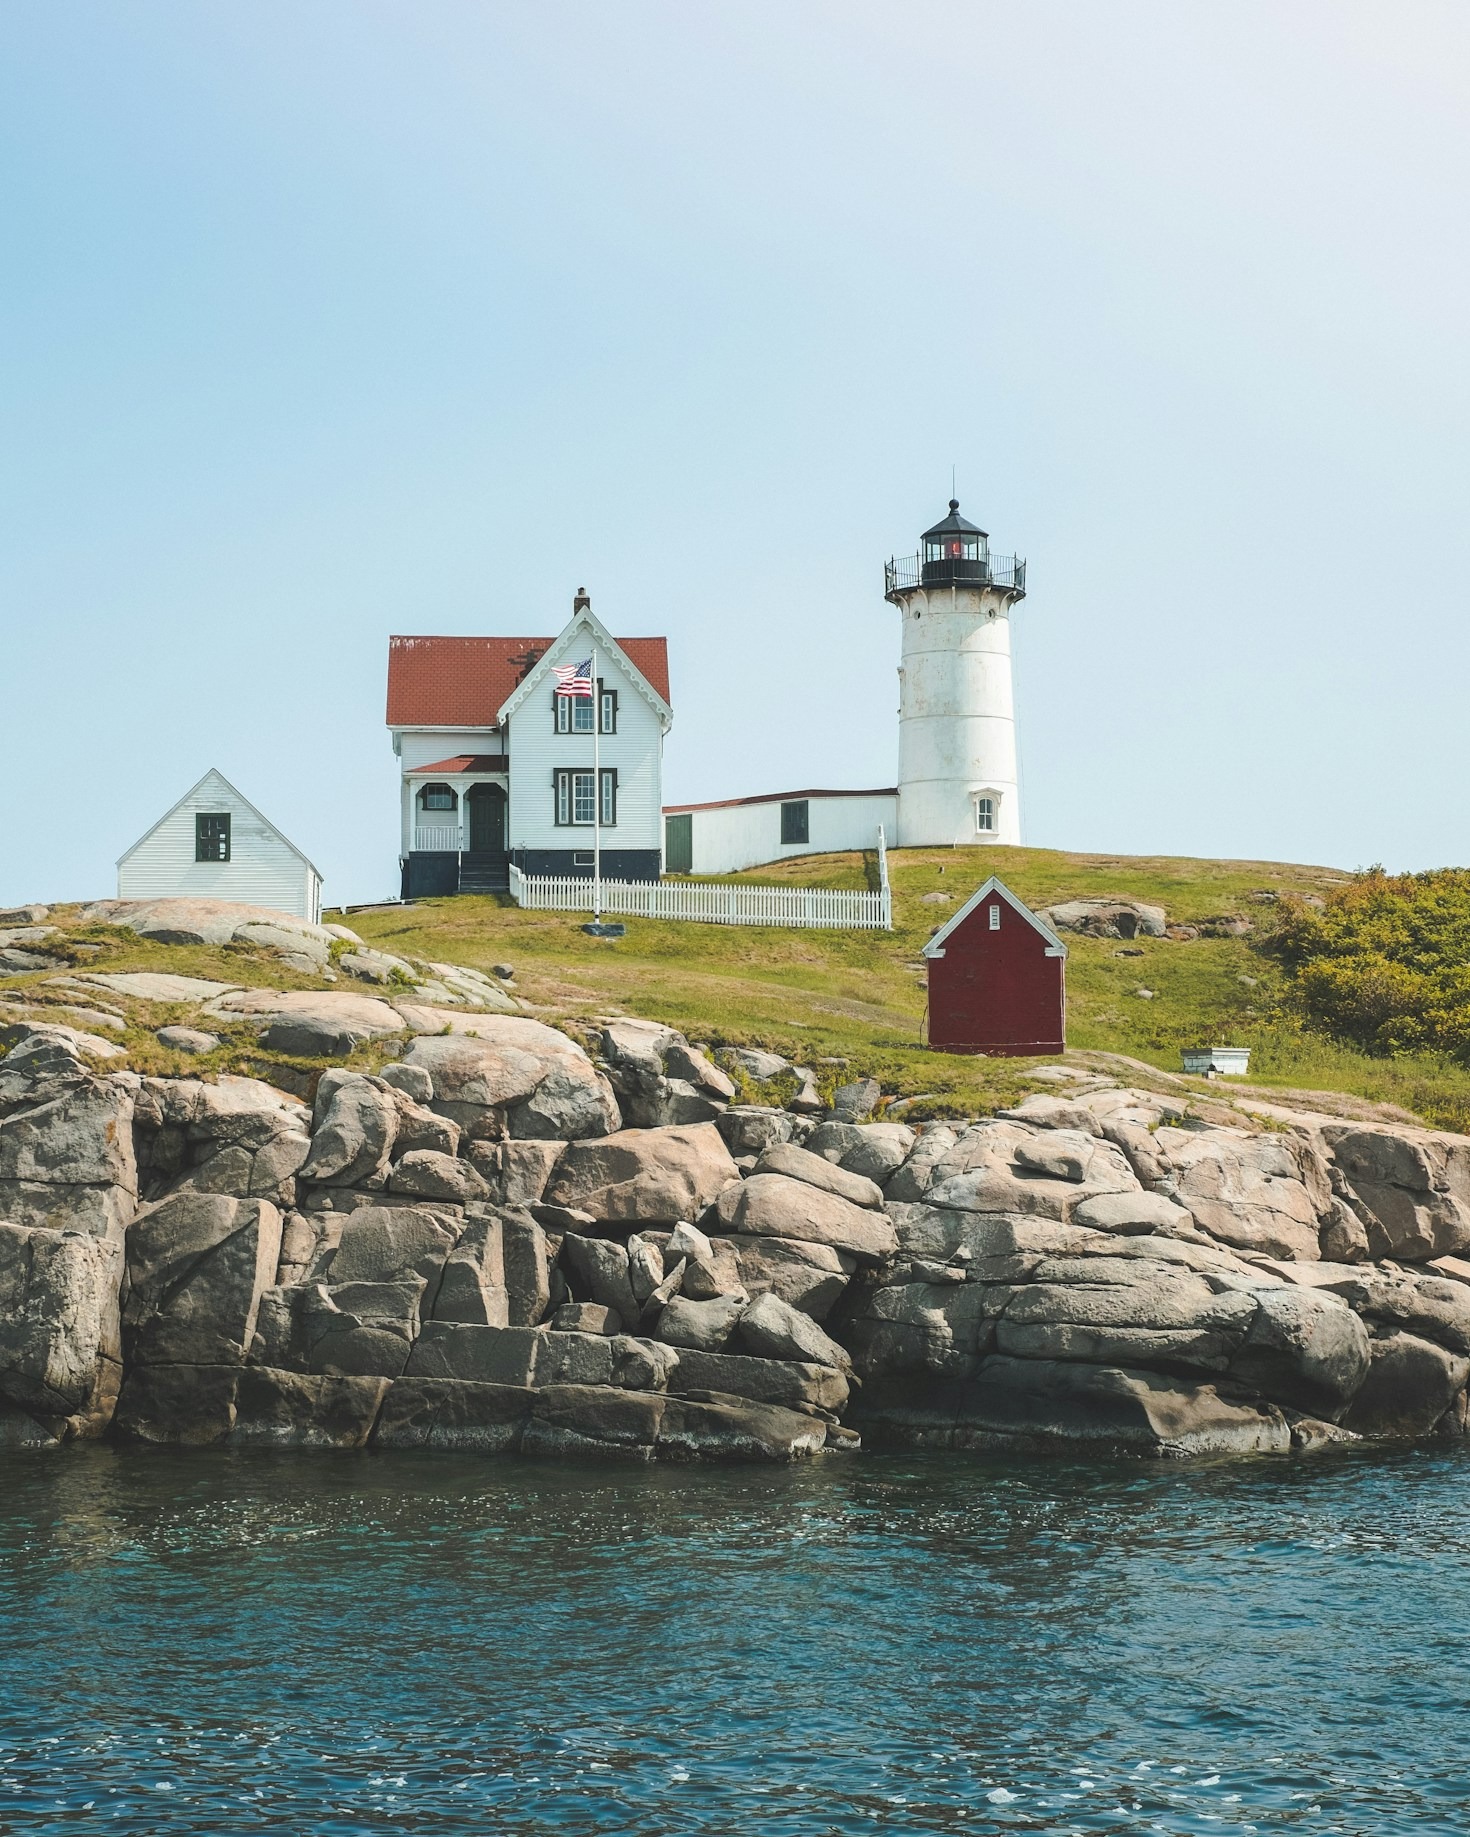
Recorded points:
(738, 903)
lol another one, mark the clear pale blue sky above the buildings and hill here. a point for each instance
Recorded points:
(332, 321)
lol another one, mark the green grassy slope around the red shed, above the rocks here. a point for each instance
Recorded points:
(859, 997)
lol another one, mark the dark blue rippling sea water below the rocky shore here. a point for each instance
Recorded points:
(350, 1645)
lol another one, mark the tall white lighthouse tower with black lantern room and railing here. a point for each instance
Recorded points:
(956, 717)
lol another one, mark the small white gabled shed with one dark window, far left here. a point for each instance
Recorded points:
(218, 846)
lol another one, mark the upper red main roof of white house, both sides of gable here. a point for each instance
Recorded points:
(464, 682)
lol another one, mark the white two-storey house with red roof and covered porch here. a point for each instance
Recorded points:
(499, 769)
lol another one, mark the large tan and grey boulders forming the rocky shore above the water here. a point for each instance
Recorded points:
(504, 1241)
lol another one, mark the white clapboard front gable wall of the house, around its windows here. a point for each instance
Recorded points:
(635, 752)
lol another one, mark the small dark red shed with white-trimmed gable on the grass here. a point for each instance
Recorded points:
(997, 978)
